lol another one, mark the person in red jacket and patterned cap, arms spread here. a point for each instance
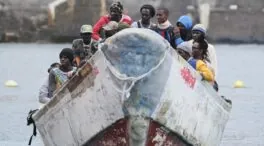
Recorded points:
(116, 14)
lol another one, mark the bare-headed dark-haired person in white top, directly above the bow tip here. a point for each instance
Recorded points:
(147, 12)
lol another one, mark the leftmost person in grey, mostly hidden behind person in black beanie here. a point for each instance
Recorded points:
(44, 91)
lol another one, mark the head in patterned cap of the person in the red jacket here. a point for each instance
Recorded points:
(116, 10)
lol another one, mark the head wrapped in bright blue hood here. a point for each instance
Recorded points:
(184, 24)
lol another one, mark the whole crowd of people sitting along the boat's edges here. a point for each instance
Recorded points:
(187, 39)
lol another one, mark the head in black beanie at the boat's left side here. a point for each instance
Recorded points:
(66, 57)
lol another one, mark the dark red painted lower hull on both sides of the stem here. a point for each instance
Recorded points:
(118, 135)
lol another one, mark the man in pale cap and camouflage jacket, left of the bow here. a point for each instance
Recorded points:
(85, 47)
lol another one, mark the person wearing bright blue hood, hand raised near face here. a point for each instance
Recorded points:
(183, 30)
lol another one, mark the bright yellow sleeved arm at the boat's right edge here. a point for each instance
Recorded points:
(202, 68)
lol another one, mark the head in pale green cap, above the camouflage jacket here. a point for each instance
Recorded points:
(86, 33)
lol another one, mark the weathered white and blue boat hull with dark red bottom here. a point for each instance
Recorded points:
(134, 93)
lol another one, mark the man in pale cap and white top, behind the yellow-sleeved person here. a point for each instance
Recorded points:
(199, 33)
